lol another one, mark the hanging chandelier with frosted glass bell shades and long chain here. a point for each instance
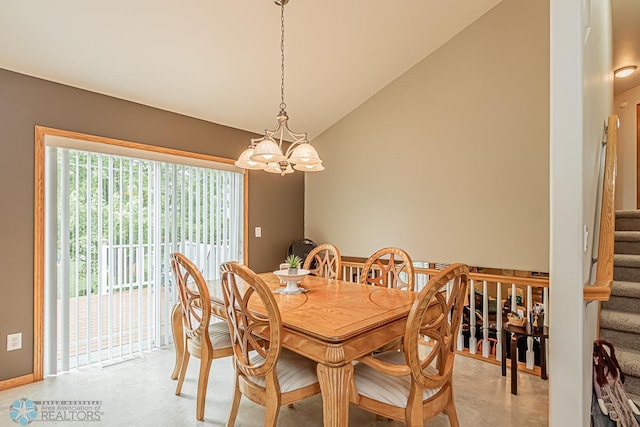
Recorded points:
(265, 153)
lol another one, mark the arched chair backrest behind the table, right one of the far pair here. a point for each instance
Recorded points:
(389, 267)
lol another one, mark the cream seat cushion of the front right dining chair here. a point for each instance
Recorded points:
(386, 388)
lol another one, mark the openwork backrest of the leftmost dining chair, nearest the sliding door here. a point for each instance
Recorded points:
(194, 297)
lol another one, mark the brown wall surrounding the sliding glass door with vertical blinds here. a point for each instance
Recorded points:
(275, 203)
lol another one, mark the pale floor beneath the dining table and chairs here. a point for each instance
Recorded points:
(139, 392)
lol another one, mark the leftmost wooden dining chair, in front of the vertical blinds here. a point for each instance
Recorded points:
(203, 340)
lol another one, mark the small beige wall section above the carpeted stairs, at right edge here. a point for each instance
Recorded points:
(626, 183)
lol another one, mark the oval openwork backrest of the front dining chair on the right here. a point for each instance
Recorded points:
(436, 314)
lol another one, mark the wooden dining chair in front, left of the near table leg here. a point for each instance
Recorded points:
(266, 373)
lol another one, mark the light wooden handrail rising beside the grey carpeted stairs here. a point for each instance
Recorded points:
(601, 288)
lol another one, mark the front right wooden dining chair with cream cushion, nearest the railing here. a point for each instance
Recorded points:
(417, 383)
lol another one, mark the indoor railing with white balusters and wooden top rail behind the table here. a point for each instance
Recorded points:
(490, 298)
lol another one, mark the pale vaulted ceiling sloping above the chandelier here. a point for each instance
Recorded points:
(220, 60)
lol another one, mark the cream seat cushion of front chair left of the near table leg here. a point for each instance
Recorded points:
(294, 371)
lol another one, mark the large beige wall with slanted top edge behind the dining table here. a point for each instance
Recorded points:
(450, 161)
